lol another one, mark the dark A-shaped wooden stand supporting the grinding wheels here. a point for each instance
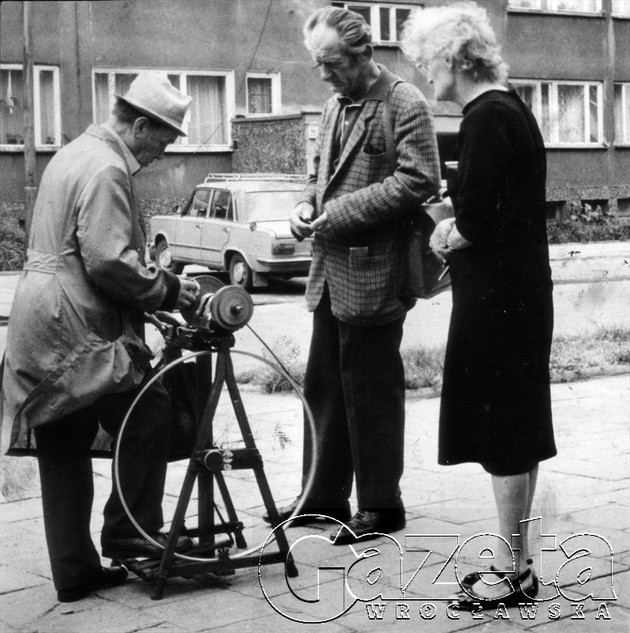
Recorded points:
(205, 467)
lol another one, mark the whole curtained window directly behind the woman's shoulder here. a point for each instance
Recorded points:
(568, 112)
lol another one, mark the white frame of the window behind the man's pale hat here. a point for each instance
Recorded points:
(182, 145)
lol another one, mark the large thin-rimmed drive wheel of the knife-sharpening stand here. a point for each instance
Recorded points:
(277, 426)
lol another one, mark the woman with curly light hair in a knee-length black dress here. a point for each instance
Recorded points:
(496, 405)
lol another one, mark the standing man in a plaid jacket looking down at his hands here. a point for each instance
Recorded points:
(355, 205)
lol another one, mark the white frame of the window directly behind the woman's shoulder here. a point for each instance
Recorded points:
(554, 120)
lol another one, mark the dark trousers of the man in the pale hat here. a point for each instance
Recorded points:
(65, 468)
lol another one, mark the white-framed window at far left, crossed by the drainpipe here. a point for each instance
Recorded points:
(46, 106)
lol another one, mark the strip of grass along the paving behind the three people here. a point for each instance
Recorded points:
(573, 357)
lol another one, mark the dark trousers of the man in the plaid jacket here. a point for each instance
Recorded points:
(354, 385)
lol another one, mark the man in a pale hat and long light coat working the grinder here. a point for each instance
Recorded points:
(76, 356)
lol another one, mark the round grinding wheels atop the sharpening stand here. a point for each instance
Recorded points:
(226, 307)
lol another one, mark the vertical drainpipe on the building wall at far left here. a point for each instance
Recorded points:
(30, 188)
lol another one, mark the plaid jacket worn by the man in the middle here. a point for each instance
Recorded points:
(362, 256)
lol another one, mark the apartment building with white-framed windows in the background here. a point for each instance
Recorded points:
(256, 96)
